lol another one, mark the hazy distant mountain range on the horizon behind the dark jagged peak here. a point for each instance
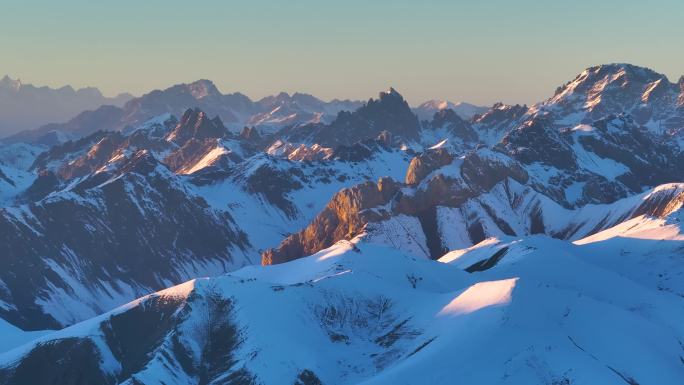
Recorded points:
(235, 111)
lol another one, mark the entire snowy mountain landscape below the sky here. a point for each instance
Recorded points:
(193, 237)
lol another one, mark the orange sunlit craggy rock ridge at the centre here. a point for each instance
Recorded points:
(344, 217)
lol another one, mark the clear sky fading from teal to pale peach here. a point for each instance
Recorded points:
(478, 51)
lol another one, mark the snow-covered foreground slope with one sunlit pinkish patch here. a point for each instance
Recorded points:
(607, 309)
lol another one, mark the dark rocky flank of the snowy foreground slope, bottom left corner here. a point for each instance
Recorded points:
(160, 327)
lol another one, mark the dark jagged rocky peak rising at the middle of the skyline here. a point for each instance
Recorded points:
(389, 112)
